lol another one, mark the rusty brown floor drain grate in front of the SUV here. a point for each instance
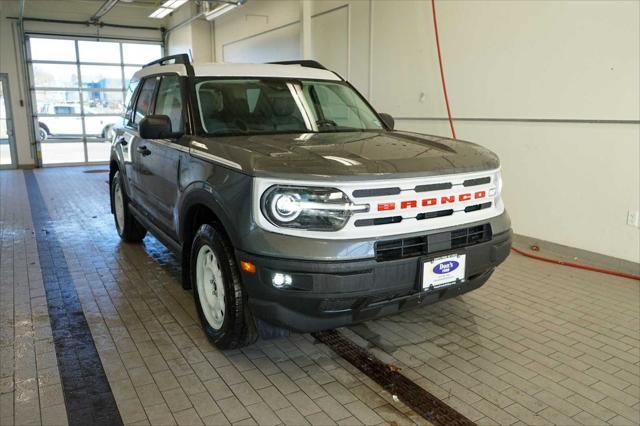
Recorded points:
(387, 376)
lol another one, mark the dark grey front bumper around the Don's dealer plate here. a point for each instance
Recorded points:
(327, 295)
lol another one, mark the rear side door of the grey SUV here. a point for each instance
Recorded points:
(134, 148)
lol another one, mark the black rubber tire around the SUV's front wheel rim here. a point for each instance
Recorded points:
(238, 327)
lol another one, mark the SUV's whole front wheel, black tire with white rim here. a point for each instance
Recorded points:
(220, 299)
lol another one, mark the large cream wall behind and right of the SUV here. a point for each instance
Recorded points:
(571, 183)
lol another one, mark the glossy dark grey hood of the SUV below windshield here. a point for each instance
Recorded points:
(350, 155)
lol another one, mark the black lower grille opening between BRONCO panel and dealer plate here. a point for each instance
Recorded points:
(427, 244)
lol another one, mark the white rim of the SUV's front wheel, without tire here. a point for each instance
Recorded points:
(210, 286)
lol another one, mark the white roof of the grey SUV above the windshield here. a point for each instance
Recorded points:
(241, 70)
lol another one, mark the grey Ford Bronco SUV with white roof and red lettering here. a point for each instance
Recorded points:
(293, 204)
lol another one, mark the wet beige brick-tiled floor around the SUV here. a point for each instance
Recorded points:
(538, 344)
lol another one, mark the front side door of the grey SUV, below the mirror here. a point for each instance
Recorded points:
(160, 164)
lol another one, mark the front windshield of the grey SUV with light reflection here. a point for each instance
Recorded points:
(254, 106)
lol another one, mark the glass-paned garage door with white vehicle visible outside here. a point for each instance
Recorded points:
(79, 89)
